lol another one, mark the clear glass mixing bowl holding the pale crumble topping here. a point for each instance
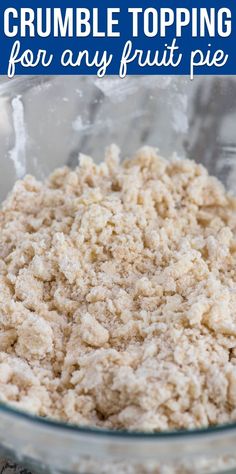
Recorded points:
(44, 123)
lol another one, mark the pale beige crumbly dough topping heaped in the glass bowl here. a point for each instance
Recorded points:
(118, 295)
